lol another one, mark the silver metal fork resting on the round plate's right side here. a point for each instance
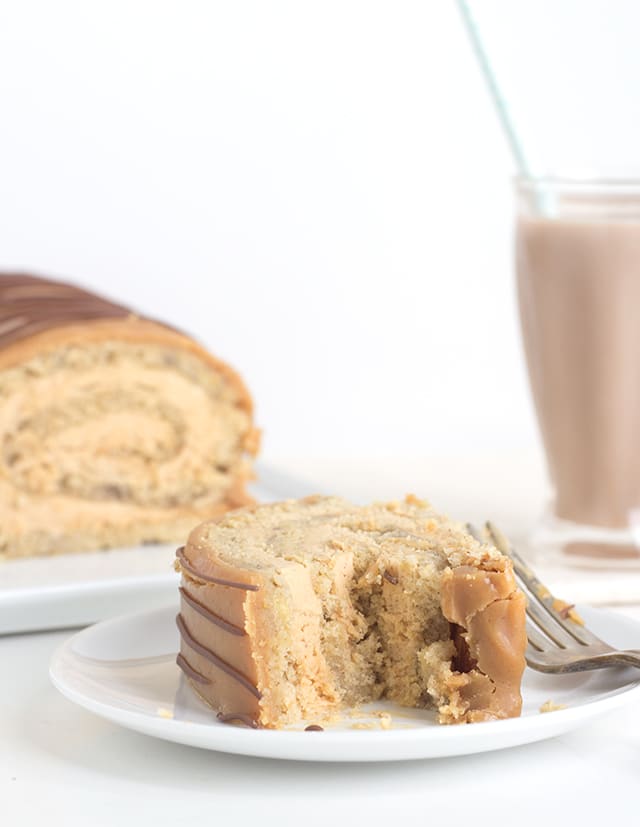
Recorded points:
(558, 639)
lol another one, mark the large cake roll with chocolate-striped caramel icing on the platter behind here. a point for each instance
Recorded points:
(115, 430)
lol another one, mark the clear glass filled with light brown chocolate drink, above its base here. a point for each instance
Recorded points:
(578, 270)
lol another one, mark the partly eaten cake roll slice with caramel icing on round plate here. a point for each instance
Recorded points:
(293, 610)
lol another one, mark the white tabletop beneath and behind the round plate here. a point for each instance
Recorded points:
(62, 765)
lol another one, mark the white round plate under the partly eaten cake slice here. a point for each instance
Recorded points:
(125, 671)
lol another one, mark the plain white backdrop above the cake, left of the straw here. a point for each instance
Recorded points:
(319, 191)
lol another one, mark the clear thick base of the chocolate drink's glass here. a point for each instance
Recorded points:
(561, 542)
